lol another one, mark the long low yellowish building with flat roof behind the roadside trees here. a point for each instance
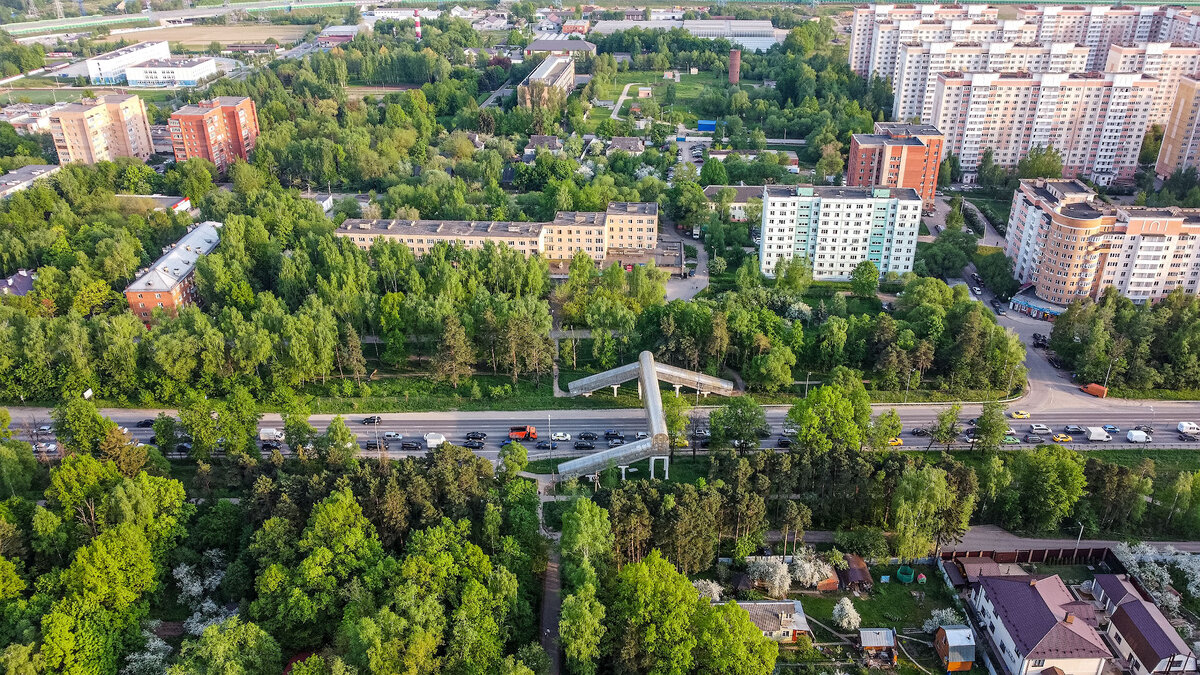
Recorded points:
(622, 226)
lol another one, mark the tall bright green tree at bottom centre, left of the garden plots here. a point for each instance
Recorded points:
(652, 613)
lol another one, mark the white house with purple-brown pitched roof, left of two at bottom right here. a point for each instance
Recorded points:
(1035, 624)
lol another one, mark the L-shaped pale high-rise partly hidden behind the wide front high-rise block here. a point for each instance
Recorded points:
(920, 63)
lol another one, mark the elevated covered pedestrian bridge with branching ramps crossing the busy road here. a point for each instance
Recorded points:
(649, 374)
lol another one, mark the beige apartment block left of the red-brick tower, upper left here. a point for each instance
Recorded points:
(97, 130)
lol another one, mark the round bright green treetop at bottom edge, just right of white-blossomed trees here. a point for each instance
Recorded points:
(230, 648)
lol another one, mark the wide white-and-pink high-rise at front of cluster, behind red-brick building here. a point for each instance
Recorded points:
(1095, 121)
